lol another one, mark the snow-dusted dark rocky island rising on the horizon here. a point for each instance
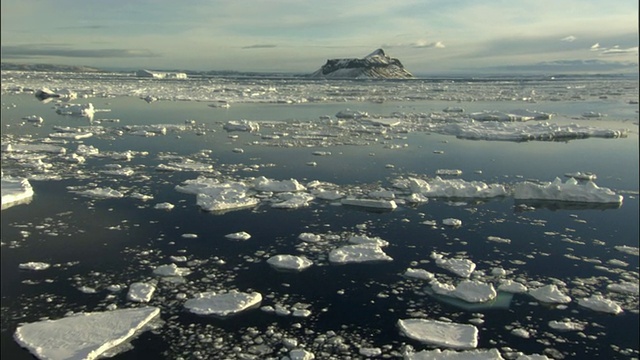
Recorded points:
(376, 65)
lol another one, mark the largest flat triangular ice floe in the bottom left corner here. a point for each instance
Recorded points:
(84, 335)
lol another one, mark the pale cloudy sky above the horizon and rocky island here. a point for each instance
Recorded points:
(428, 36)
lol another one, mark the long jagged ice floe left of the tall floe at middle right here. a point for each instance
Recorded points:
(451, 188)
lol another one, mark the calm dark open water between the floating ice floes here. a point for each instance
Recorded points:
(97, 243)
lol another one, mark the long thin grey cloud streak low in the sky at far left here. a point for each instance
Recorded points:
(29, 51)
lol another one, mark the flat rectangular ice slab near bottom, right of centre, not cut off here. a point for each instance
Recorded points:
(439, 333)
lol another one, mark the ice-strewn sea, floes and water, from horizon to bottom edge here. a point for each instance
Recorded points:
(289, 218)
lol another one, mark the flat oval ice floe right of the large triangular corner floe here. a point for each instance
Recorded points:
(223, 304)
